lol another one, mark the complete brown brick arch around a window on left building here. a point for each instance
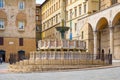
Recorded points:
(21, 17)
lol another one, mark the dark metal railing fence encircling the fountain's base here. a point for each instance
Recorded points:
(66, 58)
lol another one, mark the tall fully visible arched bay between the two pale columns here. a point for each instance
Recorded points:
(103, 39)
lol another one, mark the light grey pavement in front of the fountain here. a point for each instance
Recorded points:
(96, 74)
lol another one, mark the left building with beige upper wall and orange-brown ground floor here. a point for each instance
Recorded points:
(17, 27)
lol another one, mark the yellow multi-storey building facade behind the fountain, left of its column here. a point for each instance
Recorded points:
(50, 18)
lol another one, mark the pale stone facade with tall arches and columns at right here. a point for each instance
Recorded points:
(103, 30)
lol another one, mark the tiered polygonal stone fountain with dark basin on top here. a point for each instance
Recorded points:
(55, 54)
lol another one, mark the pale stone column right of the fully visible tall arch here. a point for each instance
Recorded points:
(111, 41)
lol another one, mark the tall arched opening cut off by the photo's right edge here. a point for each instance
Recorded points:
(116, 32)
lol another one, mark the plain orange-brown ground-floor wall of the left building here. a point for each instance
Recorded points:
(11, 45)
